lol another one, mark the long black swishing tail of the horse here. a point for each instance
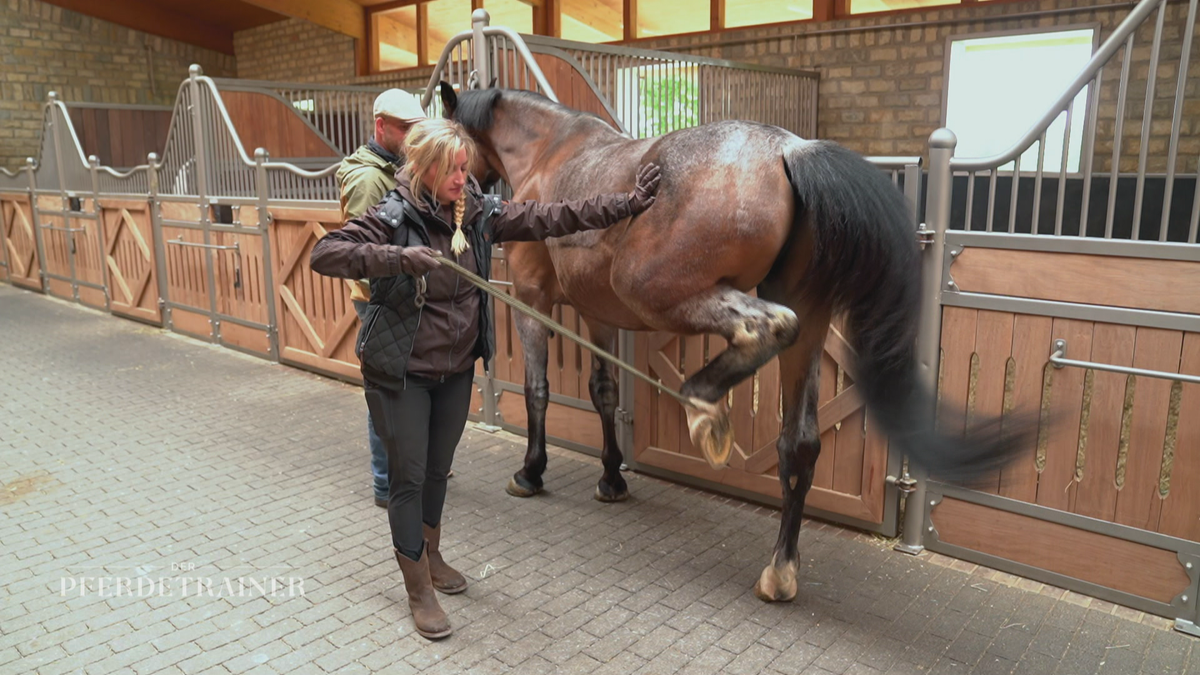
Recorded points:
(867, 260)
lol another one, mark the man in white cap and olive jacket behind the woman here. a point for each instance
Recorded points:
(365, 178)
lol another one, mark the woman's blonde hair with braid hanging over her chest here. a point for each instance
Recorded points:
(435, 144)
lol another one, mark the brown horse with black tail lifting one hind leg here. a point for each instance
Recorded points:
(812, 226)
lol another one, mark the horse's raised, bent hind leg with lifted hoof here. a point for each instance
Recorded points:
(757, 331)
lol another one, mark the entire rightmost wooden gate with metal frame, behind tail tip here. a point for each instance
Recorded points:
(1108, 488)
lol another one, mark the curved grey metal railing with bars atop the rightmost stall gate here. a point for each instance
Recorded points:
(1125, 201)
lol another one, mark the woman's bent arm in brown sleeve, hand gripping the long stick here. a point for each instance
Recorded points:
(362, 249)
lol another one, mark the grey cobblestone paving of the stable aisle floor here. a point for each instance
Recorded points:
(125, 451)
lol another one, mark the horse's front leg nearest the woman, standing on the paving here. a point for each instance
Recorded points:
(536, 347)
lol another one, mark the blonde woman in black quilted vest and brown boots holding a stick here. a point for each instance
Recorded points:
(425, 327)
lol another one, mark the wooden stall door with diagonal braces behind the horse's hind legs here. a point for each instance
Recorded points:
(851, 471)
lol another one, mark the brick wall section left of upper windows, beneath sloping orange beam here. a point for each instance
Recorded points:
(295, 51)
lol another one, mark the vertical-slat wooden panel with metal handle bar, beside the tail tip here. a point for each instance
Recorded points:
(1120, 449)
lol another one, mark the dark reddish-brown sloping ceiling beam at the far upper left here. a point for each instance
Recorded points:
(149, 17)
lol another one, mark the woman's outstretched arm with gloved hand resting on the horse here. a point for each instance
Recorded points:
(531, 222)
